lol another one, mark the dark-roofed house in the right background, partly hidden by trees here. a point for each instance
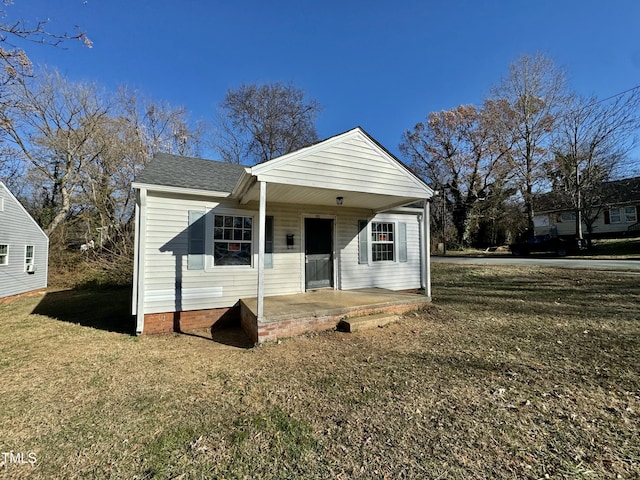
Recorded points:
(618, 214)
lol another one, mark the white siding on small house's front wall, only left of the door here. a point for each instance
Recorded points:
(213, 287)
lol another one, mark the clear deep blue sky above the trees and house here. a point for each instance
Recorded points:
(383, 65)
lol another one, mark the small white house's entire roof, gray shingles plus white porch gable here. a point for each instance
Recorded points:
(348, 162)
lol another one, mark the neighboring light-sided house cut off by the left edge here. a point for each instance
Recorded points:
(24, 248)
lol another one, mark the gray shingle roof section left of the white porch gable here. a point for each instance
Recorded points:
(187, 172)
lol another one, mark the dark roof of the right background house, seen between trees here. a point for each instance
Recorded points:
(616, 192)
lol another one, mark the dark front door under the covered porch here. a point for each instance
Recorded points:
(318, 239)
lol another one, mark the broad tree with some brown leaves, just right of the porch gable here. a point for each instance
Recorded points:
(462, 154)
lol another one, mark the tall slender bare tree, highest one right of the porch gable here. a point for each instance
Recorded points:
(535, 91)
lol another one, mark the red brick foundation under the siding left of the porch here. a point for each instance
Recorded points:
(168, 322)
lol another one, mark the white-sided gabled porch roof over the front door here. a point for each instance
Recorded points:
(351, 165)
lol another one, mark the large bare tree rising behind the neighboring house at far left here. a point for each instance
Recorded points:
(51, 125)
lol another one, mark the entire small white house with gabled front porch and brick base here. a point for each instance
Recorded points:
(216, 240)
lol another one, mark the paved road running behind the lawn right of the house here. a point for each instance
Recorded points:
(606, 264)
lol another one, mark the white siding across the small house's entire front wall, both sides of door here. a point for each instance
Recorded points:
(169, 285)
